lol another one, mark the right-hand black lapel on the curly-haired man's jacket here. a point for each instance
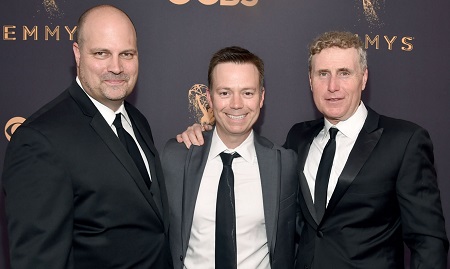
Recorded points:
(364, 145)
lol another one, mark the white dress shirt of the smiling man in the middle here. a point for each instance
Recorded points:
(251, 237)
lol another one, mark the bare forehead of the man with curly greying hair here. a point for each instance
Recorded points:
(335, 57)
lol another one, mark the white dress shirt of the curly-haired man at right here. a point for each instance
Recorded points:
(345, 140)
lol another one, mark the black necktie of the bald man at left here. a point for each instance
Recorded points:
(132, 148)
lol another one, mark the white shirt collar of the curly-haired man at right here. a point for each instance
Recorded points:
(351, 126)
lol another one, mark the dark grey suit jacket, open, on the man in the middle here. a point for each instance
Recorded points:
(279, 181)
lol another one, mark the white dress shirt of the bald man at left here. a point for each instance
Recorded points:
(110, 116)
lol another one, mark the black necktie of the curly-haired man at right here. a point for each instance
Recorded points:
(323, 174)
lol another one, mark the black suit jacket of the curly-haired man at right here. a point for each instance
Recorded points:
(387, 194)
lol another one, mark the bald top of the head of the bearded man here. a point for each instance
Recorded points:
(100, 16)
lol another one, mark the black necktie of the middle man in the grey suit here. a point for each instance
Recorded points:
(226, 257)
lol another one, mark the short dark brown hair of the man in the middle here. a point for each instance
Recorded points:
(237, 55)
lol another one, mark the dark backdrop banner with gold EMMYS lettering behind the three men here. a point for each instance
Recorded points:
(407, 41)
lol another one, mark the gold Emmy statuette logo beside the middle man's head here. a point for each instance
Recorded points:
(198, 105)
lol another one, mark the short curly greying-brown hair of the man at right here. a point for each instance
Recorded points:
(343, 40)
